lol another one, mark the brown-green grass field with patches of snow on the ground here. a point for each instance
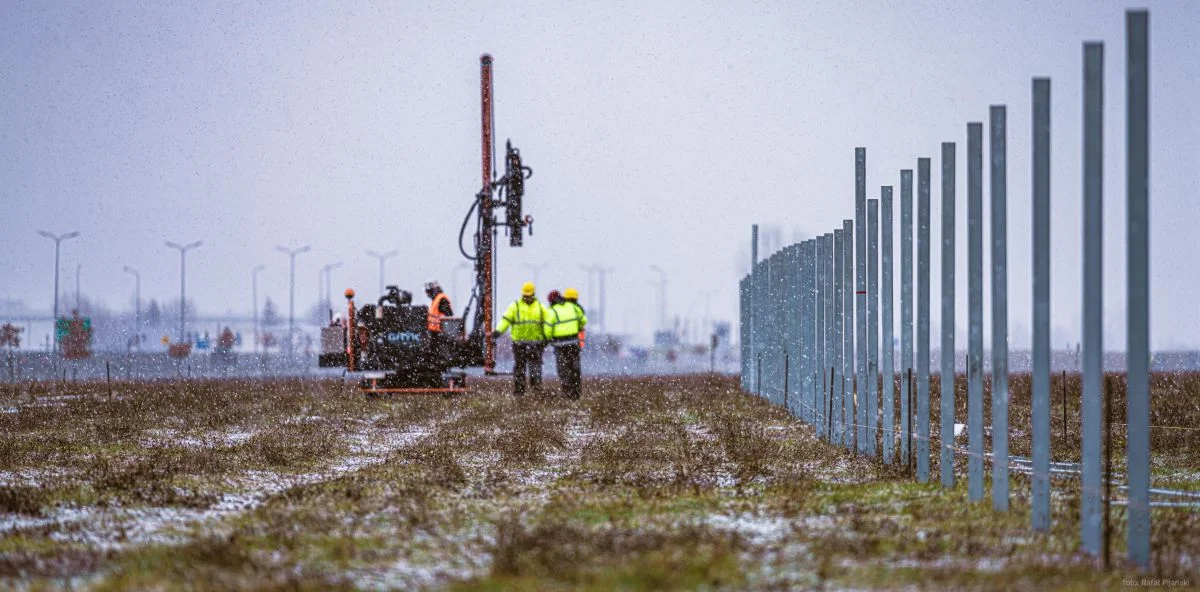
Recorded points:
(645, 485)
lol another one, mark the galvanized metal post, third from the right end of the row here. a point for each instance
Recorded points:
(1041, 379)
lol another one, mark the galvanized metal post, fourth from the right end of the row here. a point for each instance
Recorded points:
(998, 116)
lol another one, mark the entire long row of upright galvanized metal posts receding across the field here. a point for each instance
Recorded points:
(811, 313)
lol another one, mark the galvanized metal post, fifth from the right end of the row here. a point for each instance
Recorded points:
(975, 310)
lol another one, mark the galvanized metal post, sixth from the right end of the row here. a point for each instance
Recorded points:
(947, 372)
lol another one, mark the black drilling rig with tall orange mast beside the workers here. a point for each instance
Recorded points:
(389, 343)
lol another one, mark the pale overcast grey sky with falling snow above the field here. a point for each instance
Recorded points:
(658, 133)
